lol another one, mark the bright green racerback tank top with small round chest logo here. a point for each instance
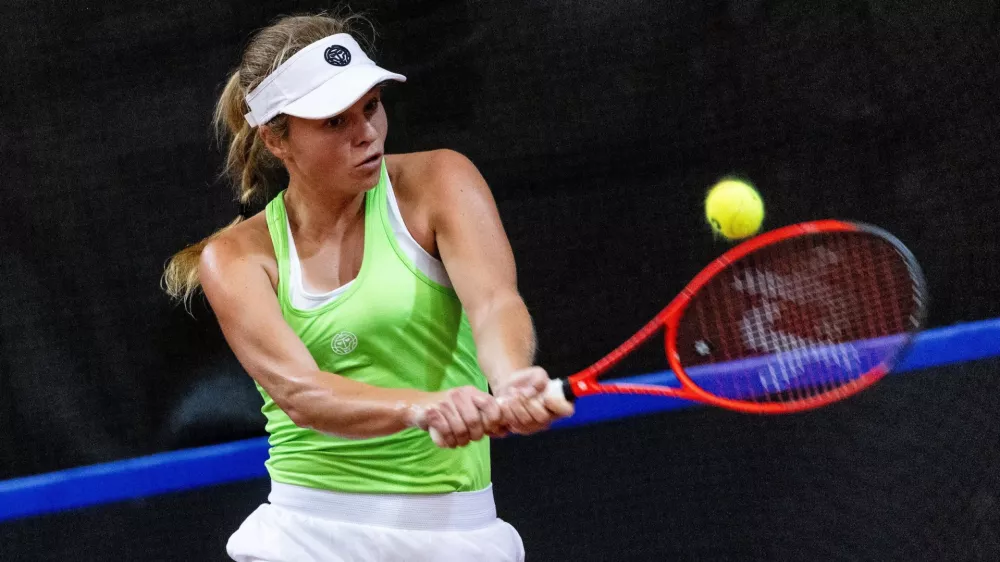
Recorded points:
(393, 327)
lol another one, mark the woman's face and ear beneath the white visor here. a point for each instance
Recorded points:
(342, 153)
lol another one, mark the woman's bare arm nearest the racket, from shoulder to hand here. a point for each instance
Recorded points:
(480, 263)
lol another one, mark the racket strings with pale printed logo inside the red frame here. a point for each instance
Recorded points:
(802, 319)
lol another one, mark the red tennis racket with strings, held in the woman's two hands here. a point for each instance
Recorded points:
(790, 320)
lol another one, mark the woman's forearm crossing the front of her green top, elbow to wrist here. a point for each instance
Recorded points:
(336, 405)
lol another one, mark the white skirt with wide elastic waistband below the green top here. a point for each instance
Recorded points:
(306, 525)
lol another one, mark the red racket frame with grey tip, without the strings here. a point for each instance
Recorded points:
(585, 383)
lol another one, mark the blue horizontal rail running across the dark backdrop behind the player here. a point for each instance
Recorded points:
(242, 460)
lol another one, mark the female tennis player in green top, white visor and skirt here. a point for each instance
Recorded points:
(373, 299)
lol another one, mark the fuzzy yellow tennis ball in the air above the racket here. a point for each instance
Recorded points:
(734, 209)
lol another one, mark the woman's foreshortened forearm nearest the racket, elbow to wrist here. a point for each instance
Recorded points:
(505, 339)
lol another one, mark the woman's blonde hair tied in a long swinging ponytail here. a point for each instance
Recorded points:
(254, 172)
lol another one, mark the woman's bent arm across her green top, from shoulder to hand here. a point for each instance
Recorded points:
(235, 281)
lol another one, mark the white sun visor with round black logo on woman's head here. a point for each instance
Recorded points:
(320, 81)
